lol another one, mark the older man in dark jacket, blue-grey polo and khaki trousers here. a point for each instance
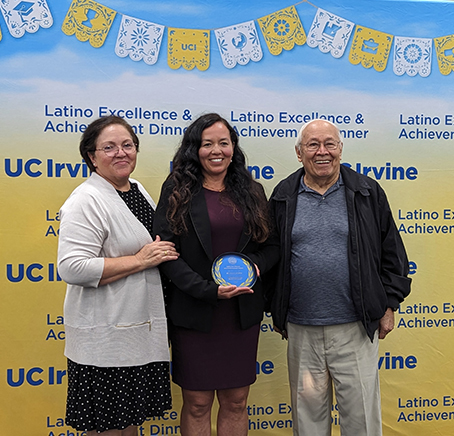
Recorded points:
(342, 274)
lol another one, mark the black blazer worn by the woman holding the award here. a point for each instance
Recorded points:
(191, 293)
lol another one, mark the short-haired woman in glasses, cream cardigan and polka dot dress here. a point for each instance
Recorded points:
(116, 335)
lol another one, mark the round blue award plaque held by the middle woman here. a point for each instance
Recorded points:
(234, 269)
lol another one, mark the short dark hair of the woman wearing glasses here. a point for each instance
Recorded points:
(88, 140)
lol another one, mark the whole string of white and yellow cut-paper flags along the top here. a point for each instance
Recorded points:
(238, 44)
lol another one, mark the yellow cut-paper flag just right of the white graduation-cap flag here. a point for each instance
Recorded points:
(89, 21)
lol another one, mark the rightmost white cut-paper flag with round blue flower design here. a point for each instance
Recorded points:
(412, 56)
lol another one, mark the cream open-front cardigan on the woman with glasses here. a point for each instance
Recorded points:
(122, 323)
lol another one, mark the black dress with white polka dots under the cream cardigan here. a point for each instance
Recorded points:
(104, 399)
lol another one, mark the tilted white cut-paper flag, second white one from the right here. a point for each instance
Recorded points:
(330, 33)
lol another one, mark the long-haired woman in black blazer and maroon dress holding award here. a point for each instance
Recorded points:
(210, 205)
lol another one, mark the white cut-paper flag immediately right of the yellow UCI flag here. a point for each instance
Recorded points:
(239, 44)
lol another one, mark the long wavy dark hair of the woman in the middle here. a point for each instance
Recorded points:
(245, 193)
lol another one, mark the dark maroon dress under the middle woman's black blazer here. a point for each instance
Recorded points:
(225, 357)
